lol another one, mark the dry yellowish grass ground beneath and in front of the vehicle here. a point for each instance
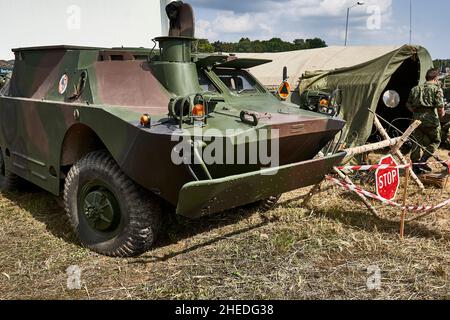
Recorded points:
(289, 253)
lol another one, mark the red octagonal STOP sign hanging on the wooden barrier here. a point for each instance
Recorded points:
(388, 180)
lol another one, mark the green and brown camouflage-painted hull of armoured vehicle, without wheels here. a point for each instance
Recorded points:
(64, 102)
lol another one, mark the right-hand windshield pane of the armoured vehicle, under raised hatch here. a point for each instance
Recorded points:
(238, 81)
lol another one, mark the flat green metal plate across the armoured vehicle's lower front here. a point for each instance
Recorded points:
(205, 197)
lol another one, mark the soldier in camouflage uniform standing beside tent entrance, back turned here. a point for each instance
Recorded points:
(427, 103)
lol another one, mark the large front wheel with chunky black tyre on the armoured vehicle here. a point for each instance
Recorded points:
(110, 214)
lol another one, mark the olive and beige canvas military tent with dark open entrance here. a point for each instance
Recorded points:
(362, 74)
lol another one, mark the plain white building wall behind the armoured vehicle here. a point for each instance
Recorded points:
(105, 23)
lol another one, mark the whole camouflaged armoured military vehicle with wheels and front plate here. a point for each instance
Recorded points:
(102, 127)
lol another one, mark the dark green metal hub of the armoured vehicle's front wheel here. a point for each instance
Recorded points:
(101, 210)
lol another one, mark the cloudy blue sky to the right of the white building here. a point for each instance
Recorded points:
(377, 22)
